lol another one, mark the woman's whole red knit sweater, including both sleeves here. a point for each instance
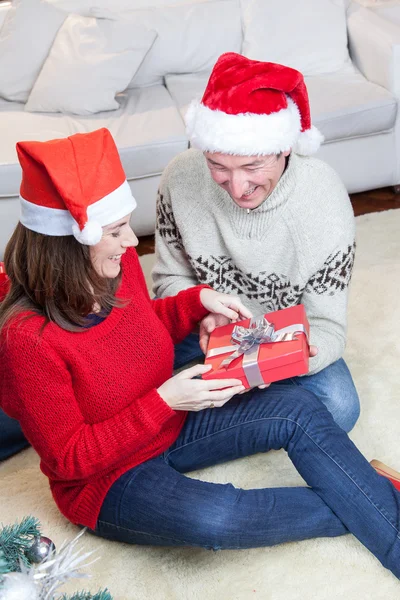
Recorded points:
(87, 401)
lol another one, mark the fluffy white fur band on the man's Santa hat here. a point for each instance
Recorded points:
(244, 134)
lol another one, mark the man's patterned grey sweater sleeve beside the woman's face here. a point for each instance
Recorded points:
(172, 271)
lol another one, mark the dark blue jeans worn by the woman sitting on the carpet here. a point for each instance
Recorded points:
(156, 504)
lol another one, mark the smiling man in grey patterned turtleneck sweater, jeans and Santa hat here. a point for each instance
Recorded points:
(249, 212)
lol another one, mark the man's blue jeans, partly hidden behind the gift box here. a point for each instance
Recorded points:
(333, 385)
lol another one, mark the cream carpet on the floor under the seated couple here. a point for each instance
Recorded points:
(325, 569)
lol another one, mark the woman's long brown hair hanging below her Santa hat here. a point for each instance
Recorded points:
(53, 276)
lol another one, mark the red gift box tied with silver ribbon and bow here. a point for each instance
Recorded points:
(265, 362)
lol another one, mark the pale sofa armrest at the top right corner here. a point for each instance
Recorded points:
(374, 46)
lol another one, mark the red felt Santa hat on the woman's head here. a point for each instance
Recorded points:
(73, 186)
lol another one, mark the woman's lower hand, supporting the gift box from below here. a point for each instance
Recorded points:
(182, 392)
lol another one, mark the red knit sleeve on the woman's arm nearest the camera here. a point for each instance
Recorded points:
(52, 421)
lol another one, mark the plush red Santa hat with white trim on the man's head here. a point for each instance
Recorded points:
(252, 108)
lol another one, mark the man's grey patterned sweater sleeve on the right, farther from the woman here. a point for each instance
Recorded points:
(323, 228)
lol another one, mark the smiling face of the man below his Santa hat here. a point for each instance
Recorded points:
(249, 180)
